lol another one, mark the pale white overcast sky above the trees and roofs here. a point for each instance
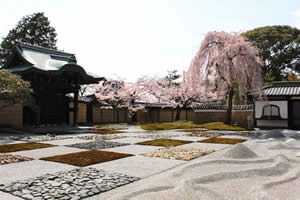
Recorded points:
(131, 38)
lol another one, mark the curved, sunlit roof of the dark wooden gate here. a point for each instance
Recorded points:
(44, 60)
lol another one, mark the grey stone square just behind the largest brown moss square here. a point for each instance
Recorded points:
(100, 144)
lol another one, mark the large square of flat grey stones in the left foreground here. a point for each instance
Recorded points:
(69, 185)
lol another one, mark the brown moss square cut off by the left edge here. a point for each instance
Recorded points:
(23, 147)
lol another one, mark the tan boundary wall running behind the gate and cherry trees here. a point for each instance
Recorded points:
(12, 116)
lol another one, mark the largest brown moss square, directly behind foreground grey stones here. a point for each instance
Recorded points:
(86, 158)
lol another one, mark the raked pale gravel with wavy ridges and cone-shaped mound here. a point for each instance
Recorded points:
(257, 171)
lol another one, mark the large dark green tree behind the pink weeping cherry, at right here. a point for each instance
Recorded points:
(279, 47)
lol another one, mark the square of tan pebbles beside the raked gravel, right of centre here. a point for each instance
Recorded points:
(179, 153)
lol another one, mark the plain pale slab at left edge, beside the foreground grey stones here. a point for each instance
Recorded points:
(29, 169)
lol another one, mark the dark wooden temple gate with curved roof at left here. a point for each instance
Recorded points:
(52, 74)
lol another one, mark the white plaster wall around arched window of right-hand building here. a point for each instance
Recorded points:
(283, 105)
